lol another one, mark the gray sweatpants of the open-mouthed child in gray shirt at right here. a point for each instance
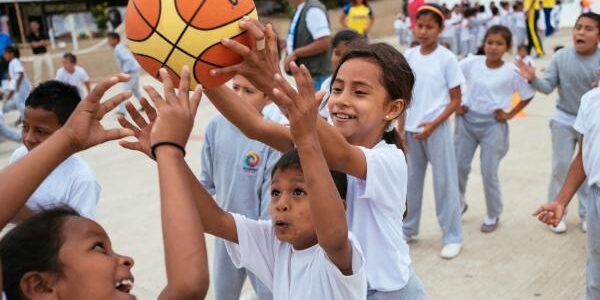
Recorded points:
(564, 141)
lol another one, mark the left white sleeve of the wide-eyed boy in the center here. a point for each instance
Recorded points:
(255, 249)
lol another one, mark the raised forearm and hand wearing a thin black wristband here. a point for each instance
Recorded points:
(183, 233)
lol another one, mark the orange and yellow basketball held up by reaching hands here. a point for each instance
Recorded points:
(175, 33)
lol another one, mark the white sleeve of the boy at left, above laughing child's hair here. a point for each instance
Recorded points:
(84, 196)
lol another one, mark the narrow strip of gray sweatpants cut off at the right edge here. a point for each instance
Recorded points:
(592, 291)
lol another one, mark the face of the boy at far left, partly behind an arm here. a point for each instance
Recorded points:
(38, 125)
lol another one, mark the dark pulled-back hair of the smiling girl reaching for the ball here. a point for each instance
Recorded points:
(396, 76)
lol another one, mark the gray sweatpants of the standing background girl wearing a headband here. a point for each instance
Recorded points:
(439, 150)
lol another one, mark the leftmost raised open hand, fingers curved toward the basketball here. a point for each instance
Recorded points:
(84, 129)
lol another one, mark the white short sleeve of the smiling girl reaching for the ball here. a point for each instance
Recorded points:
(386, 176)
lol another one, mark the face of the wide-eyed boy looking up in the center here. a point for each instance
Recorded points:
(290, 209)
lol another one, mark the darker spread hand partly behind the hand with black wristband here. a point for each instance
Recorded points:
(141, 129)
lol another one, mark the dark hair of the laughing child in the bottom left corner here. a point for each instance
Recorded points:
(33, 246)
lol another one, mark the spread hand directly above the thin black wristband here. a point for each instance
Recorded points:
(176, 111)
